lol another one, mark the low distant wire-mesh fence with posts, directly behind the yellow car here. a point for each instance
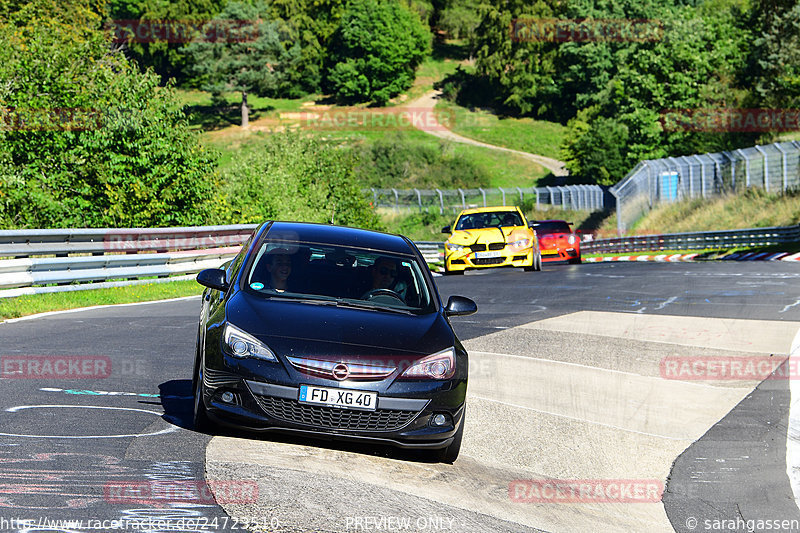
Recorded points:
(575, 197)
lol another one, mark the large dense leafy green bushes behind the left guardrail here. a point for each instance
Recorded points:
(87, 139)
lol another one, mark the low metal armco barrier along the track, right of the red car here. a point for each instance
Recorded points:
(696, 241)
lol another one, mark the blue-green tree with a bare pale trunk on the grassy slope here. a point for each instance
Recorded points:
(251, 58)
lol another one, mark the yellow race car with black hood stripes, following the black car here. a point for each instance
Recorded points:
(488, 237)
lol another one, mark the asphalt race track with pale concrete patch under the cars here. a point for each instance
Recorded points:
(586, 412)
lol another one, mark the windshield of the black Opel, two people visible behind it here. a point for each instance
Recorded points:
(339, 275)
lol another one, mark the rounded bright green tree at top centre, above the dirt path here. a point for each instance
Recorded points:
(375, 50)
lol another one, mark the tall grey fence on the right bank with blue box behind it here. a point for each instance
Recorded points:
(774, 168)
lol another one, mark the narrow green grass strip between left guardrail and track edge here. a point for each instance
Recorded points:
(57, 301)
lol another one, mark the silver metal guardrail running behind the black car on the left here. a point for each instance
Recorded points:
(41, 261)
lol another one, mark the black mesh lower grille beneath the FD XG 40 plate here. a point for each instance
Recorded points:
(333, 418)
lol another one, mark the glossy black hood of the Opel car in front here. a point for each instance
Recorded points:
(295, 328)
